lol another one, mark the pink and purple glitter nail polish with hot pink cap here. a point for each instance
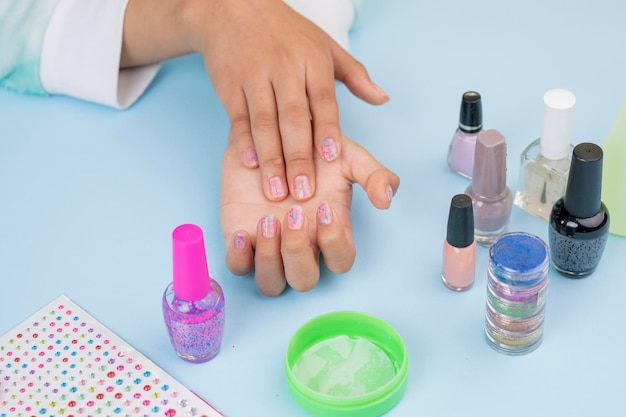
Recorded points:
(193, 304)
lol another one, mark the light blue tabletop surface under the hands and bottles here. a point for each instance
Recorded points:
(89, 197)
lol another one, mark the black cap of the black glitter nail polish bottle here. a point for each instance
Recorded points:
(584, 185)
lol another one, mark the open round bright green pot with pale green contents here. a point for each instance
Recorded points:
(346, 364)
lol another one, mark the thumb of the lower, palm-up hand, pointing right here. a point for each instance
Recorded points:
(380, 183)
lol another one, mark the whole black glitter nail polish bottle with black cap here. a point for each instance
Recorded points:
(579, 222)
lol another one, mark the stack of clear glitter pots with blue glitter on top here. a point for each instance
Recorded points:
(516, 289)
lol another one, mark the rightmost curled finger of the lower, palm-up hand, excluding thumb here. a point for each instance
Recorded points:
(334, 240)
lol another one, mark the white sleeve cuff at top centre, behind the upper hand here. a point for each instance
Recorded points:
(335, 17)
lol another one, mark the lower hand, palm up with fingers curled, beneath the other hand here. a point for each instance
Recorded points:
(281, 241)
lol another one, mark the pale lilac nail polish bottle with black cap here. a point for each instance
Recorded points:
(461, 150)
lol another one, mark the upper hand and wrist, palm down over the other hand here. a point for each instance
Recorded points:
(272, 69)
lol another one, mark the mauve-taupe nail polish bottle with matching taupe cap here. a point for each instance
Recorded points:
(492, 199)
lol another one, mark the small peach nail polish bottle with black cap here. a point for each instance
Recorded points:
(459, 248)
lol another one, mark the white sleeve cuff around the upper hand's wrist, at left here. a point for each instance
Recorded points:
(81, 54)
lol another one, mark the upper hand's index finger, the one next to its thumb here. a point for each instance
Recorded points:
(324, 110)
